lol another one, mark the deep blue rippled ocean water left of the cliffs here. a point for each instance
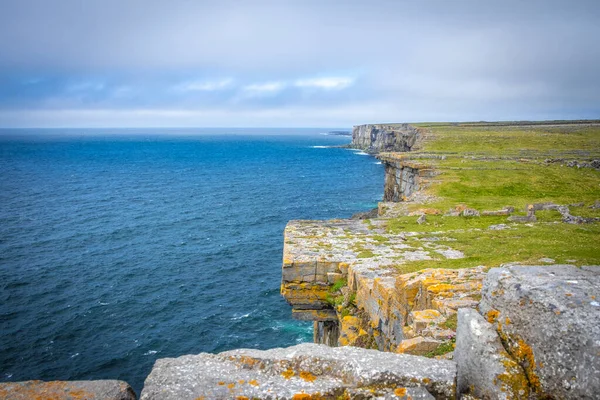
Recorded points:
(118, 247)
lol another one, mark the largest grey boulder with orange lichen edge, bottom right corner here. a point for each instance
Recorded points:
(549, 320)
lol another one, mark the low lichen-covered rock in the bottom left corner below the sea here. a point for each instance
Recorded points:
(67, 390)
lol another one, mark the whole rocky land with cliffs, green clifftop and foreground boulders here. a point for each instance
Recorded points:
(475, 279)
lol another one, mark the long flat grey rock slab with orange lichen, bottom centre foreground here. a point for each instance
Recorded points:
(296, 373)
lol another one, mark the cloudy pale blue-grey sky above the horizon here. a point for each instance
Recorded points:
(327, 63)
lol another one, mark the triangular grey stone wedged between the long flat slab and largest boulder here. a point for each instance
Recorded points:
(485, 369)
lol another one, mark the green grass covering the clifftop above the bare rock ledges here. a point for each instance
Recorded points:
(489, 167)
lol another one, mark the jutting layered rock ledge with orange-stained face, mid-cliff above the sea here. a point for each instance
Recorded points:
(374, 305)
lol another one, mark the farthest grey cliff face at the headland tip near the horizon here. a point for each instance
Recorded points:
(380, 138)
